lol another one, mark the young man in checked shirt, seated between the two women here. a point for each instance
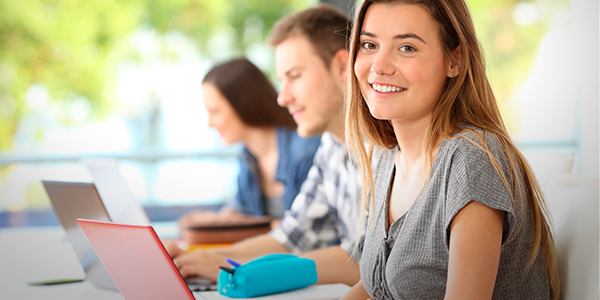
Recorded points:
(311, 60)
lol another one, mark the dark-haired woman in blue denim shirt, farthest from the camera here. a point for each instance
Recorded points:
(274, 162)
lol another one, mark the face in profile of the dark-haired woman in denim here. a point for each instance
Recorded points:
(222, 116)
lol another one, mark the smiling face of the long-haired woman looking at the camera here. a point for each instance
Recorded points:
(400, 64)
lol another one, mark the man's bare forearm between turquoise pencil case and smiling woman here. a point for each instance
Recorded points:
(334, 265)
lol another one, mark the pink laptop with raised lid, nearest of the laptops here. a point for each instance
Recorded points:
(136, 260)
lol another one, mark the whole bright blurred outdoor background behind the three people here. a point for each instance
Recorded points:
(121, 79)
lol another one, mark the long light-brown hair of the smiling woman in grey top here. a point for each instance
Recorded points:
(466, 99)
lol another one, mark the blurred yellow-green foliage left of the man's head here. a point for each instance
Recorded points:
(72, 48)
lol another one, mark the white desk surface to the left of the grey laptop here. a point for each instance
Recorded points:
(30, 254)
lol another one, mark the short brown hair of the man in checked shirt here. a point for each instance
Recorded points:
(326, 27)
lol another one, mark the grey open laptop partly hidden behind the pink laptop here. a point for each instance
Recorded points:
(73, 200)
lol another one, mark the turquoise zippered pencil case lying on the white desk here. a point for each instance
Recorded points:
(269, 274)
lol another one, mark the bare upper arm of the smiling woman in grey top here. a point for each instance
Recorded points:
(475, 241)
